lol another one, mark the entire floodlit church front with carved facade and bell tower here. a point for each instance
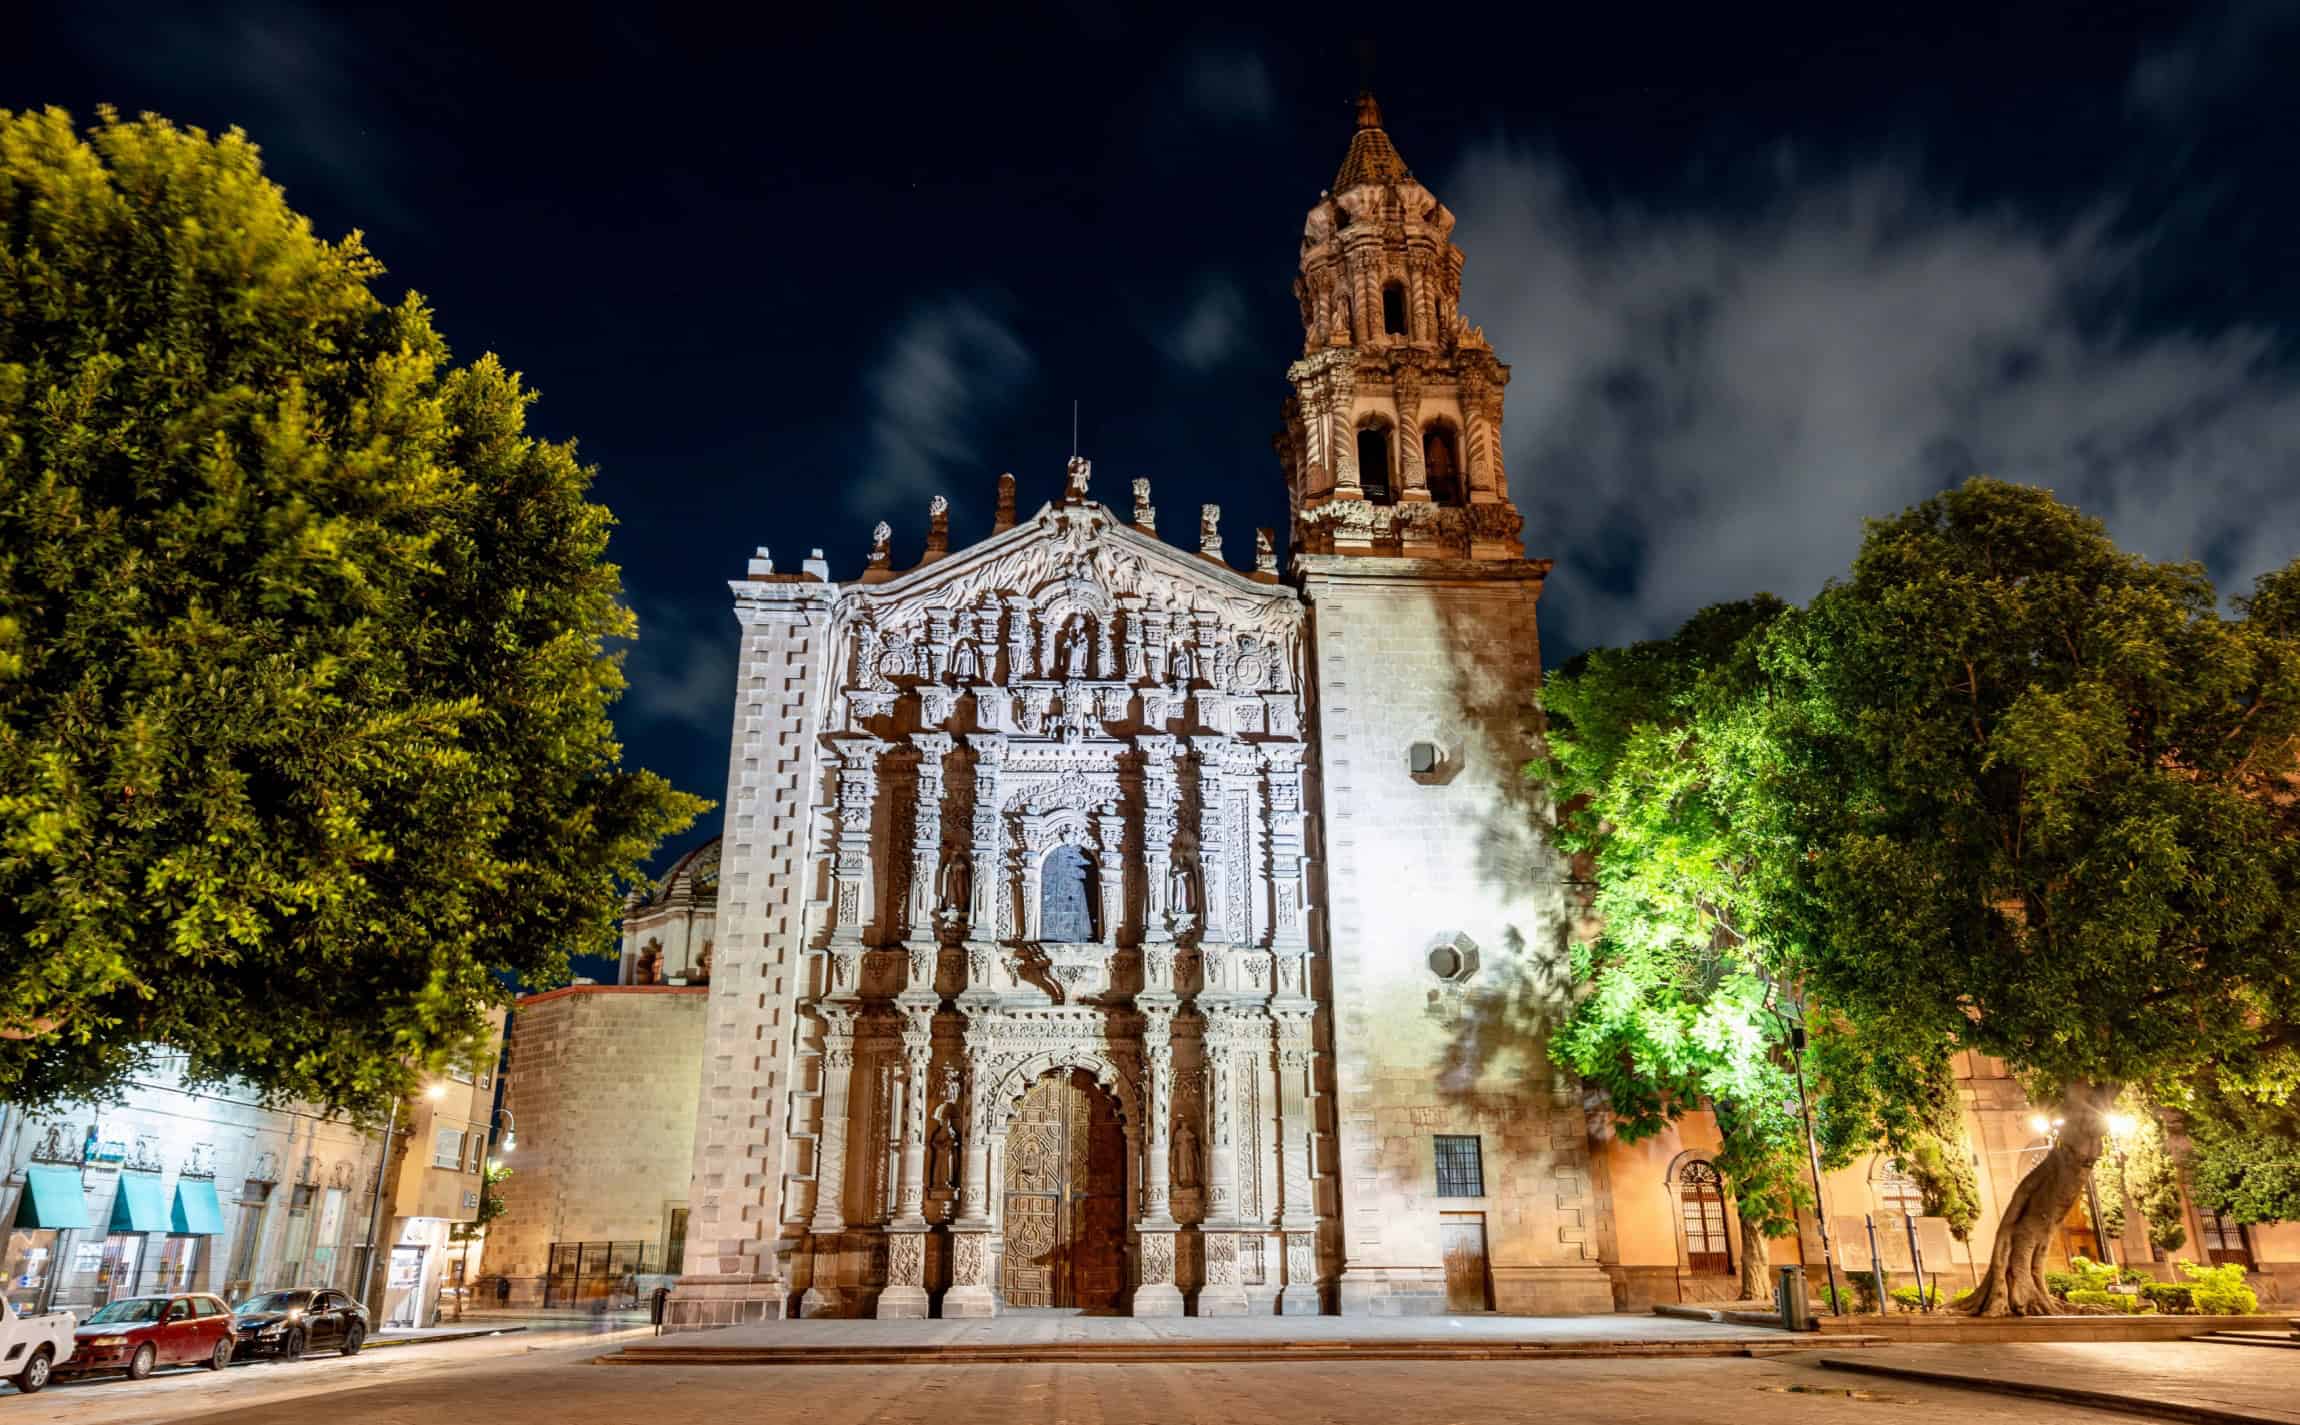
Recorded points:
(1110, 927)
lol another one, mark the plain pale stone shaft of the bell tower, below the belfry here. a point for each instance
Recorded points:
(1448, 934)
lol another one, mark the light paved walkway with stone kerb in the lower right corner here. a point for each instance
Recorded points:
(2172, 1380)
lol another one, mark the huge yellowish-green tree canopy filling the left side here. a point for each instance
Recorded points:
(305, 730)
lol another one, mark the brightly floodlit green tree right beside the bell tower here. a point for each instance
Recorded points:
(1685, 1003)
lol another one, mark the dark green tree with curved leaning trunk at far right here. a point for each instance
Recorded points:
(2025, 789)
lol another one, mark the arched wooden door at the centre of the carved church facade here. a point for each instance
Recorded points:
(1066, 1224)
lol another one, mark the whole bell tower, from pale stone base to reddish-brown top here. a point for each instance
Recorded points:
(1446, 921)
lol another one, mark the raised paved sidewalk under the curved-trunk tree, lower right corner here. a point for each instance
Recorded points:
(2255, 1382)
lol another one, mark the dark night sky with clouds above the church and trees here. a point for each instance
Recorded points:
(1761, 272)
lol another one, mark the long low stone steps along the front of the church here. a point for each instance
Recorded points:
(1137, 1353)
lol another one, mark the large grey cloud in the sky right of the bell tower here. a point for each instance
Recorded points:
(1731, 396)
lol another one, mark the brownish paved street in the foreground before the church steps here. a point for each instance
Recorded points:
(560, 1389)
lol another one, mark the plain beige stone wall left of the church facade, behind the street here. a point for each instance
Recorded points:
(601, 1091)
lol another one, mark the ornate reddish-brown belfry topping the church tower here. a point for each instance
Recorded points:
(1393, 438)
